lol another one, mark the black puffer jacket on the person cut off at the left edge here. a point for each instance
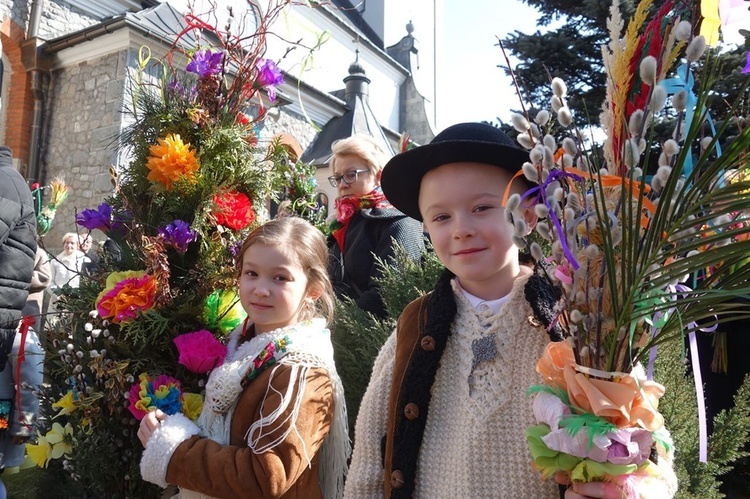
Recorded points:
(17, 249)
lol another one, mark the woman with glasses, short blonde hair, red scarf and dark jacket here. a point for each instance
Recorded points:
(366, 225)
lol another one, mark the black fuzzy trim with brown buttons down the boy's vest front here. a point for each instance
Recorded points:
(418, 380)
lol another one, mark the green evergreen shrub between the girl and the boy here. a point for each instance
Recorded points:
(358, 335)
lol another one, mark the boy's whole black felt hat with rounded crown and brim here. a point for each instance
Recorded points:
(465, 142)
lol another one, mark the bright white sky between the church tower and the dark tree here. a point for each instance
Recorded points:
(472, 87)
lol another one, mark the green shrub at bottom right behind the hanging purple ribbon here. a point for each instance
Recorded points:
(680, 411)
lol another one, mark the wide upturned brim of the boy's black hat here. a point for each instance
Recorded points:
(402, 175)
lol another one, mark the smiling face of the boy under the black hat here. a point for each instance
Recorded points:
(461, 205)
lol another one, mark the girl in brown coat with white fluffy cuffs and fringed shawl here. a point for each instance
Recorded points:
(272, 425)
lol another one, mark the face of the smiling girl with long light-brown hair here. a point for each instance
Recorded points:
(273, 287)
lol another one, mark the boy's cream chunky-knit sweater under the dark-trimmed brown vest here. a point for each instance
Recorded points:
(474, 442)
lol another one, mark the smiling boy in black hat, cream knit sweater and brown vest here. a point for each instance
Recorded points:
(446, 409)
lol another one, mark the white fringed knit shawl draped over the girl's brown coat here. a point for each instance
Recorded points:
(309, 347)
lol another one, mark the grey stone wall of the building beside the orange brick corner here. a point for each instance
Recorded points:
(83, 124)
